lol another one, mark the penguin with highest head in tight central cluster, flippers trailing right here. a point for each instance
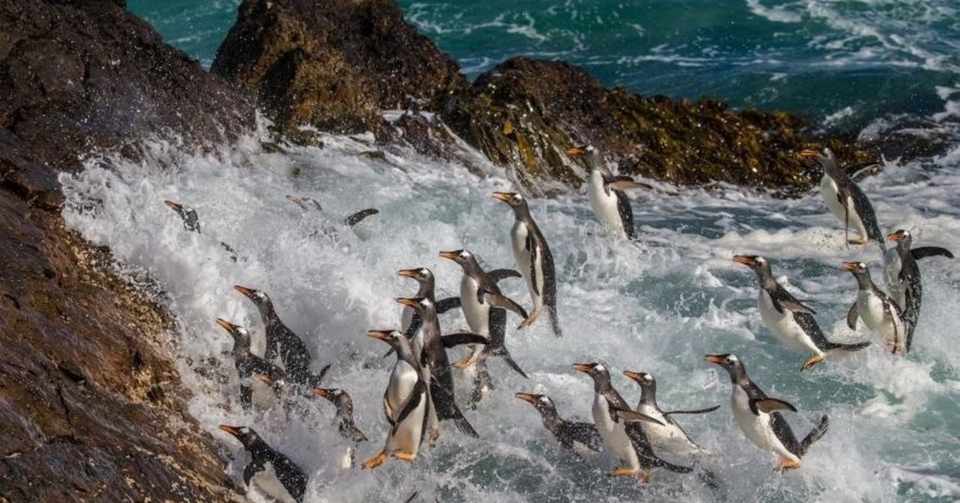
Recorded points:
(479, 295)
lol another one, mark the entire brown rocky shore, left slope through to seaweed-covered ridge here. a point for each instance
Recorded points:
(91, 405)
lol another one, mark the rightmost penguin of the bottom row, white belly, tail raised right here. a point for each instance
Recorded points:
(756, 415)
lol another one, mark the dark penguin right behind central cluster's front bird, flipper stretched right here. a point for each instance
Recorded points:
(434, 359)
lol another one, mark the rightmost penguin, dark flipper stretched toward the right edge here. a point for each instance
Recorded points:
(902, 274)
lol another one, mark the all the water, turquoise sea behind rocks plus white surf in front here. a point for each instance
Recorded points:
(655, 305)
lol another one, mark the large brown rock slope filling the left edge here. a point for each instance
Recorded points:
(91, 405)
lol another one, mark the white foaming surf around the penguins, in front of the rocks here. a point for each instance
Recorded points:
(657, 305)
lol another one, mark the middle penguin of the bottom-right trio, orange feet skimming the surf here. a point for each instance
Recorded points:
(624, 439)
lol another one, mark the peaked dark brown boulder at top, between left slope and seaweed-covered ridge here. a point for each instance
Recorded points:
(334, 64)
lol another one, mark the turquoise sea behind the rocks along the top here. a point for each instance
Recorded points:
(853, 60)
